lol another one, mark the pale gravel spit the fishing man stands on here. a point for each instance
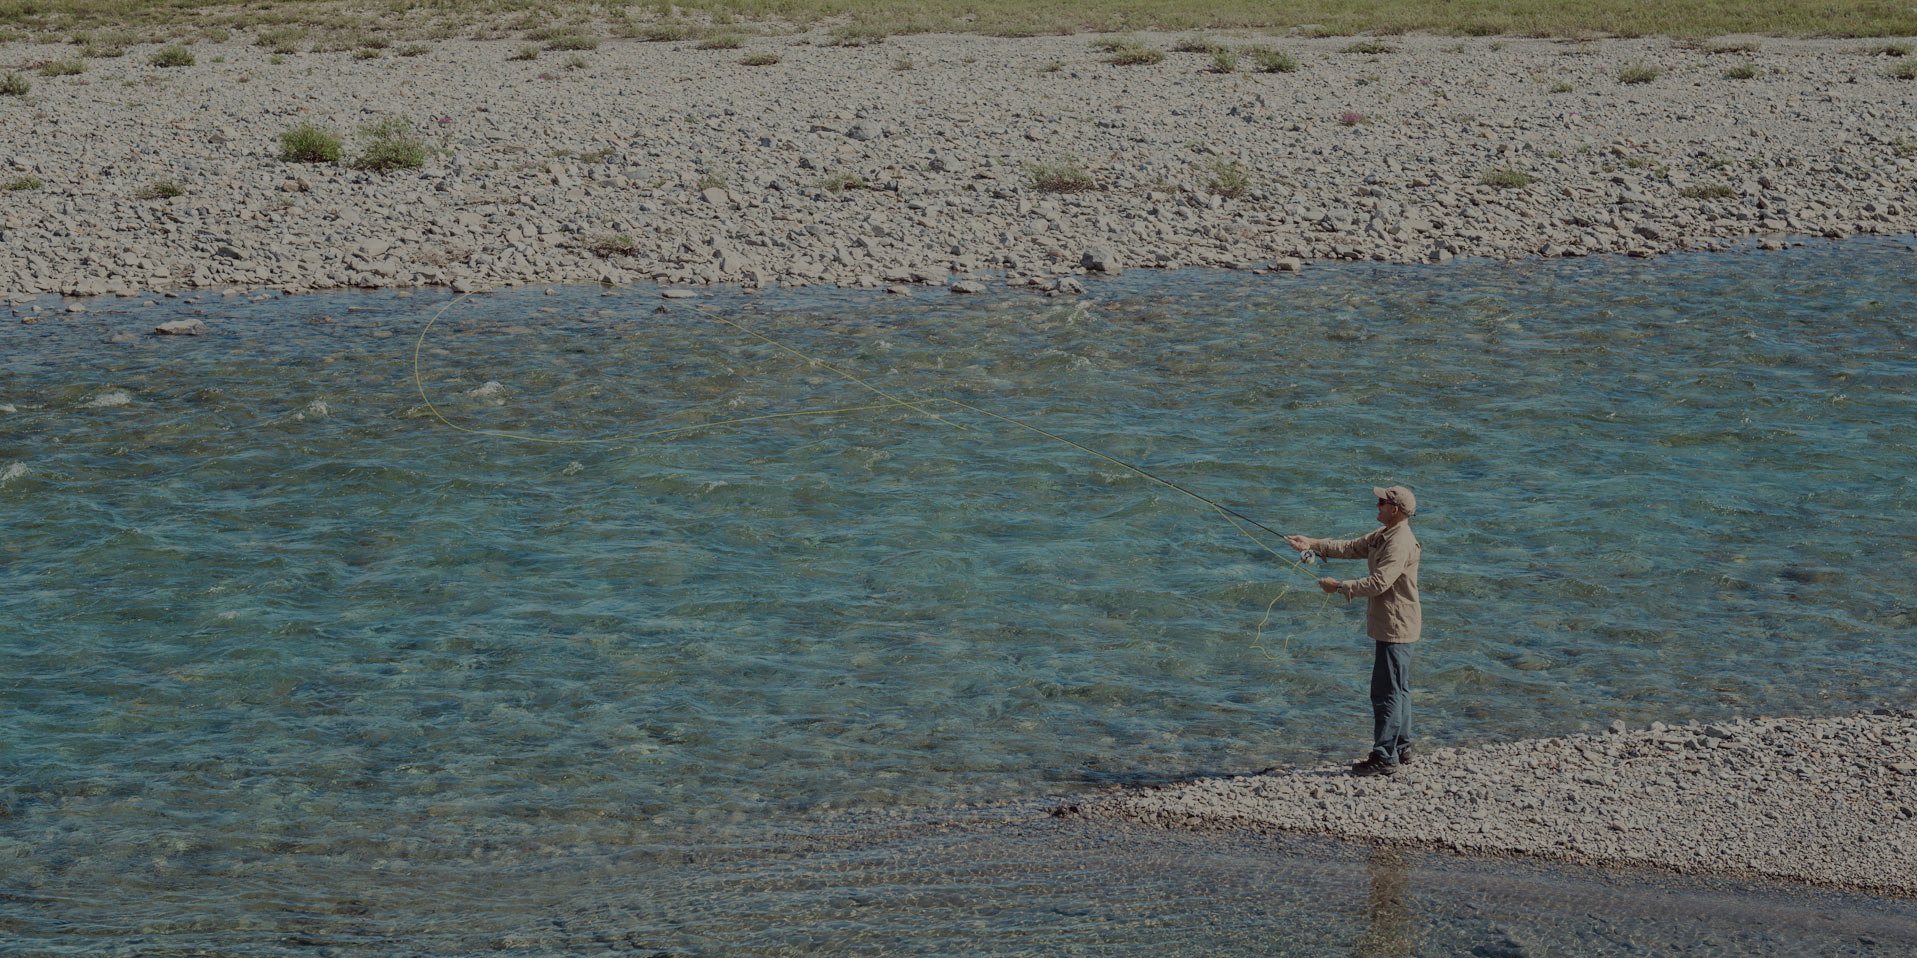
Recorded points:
(1832, 802)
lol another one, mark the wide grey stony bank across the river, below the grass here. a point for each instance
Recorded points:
(1352, 156)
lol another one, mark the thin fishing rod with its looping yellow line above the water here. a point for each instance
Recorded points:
(892, 401)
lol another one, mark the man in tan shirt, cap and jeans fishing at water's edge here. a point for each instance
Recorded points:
(1393, 620)
